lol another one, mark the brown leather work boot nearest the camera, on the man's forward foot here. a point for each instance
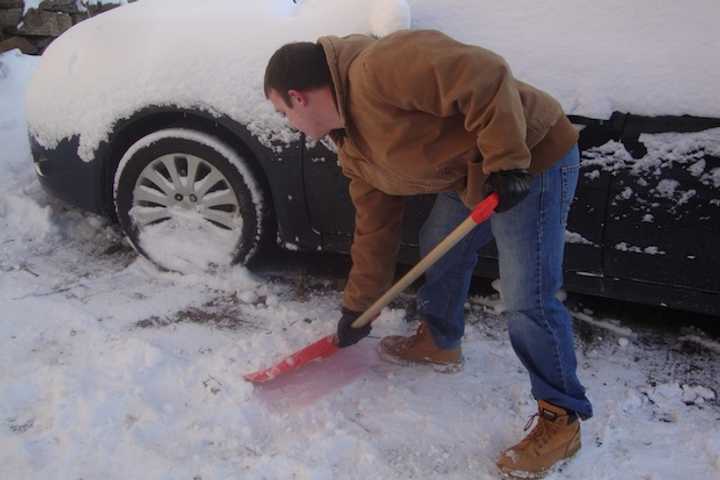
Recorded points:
(556, 437)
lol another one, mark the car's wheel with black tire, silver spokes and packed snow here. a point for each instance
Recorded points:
(188, 202)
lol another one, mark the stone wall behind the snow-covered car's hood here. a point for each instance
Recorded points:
(34, 30)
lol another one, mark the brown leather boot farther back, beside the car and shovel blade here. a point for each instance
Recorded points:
(420, 348)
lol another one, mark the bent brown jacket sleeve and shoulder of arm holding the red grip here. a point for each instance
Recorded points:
(435, 74)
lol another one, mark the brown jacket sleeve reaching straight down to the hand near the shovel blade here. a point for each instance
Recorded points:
(376, 241)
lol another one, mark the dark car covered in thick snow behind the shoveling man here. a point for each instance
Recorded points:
(154, 114)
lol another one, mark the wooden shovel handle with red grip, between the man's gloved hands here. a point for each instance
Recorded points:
(480, 213)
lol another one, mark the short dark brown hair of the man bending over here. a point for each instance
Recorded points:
(296, 66)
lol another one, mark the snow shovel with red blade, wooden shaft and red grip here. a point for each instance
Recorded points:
(327, 345)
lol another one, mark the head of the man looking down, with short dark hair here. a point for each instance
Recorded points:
(298, 83)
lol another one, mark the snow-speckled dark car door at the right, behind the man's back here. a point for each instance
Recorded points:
(663, 213)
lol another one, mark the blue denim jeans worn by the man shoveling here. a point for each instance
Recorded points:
(530, 238)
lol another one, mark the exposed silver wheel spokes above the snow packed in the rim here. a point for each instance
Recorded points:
(181, 184)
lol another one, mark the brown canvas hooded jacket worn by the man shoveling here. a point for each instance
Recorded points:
(424, 113)
